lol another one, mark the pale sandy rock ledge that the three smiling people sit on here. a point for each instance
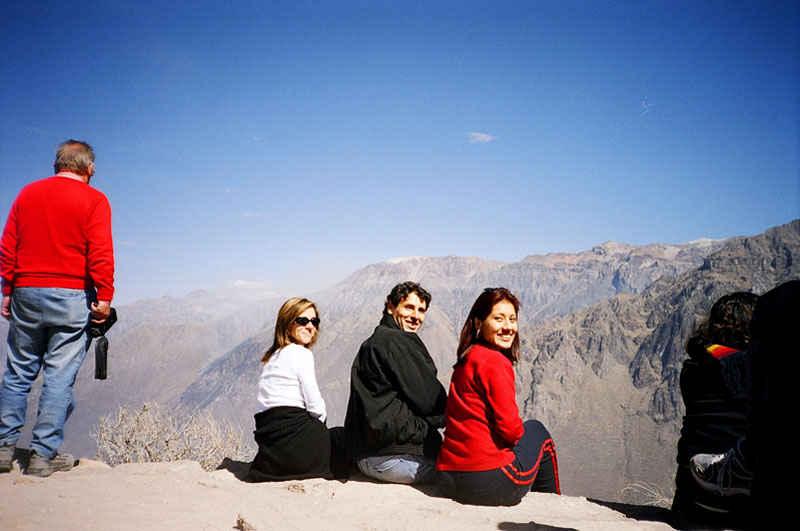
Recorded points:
(180, 495)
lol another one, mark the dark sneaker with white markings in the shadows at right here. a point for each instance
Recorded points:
(722, 474)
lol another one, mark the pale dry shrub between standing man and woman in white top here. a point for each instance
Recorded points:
(153, 434)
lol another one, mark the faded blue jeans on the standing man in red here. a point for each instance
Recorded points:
(48, 327)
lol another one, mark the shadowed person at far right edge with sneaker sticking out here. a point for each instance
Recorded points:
(761, 465)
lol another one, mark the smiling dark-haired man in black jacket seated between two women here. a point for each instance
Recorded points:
(396, 403)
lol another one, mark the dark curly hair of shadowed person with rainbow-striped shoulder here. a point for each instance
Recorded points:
(728, 322)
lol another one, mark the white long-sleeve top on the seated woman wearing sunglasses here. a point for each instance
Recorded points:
(288, 379)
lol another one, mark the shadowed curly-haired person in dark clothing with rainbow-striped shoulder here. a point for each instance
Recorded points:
(714, 390)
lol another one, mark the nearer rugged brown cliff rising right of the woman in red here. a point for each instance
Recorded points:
(605, 379)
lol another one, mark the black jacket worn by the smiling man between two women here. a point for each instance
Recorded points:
(396, 403)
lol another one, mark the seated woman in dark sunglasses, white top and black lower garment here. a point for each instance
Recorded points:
(293, 442)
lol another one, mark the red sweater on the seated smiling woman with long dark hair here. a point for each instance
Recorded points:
(483, 423)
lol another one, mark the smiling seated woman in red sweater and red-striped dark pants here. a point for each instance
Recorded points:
(489, 456)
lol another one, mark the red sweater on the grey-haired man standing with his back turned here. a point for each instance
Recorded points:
(58, 235)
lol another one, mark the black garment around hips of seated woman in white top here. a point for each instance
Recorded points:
(291, 445)
